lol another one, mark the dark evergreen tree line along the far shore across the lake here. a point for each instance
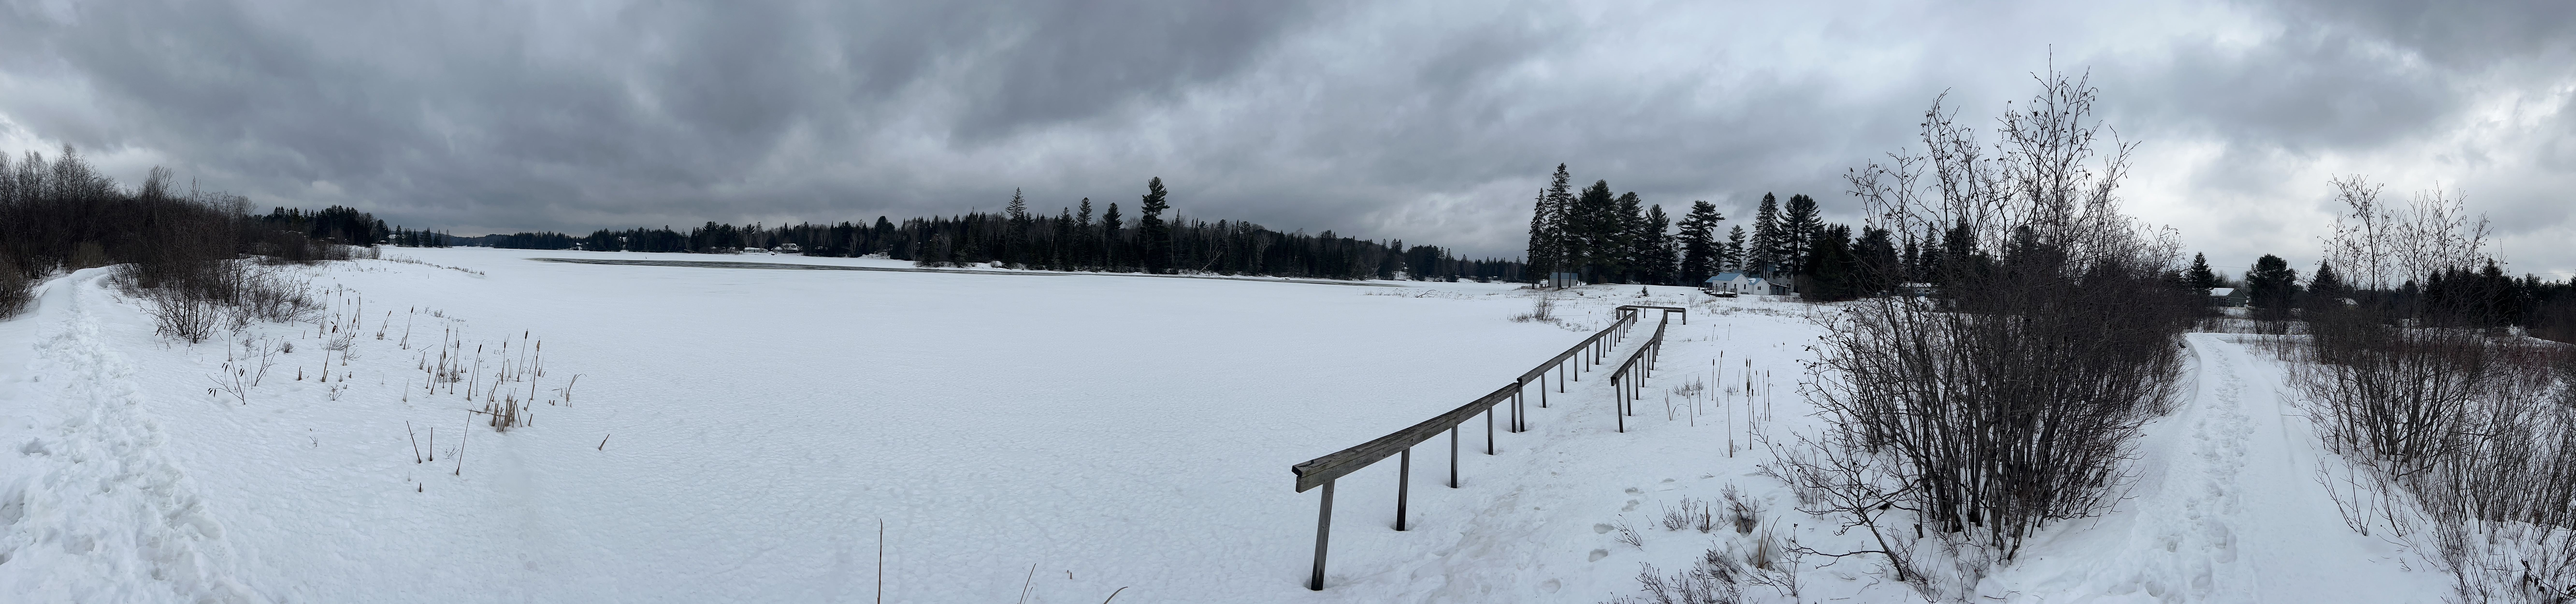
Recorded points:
(1075, 239)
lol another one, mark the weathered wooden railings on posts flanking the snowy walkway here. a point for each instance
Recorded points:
(1567, 365)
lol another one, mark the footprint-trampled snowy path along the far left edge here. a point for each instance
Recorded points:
(94, 510)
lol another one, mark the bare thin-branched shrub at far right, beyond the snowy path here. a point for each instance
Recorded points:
(2461, 435)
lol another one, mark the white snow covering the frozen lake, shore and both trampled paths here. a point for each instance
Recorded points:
(723, 435)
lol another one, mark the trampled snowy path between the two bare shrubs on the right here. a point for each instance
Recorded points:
(2224, 510)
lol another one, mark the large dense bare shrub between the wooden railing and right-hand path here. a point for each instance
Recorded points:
(2013, 396)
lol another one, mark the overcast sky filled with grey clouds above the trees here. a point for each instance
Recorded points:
(1431, 123)
